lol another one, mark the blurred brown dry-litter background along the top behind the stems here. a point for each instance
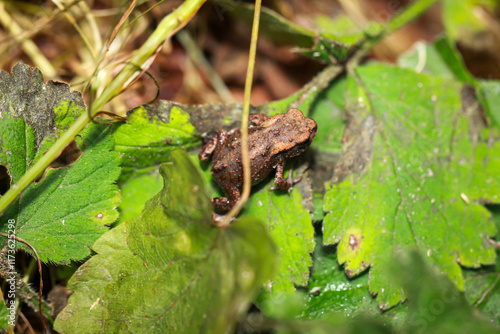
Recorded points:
(66, 45)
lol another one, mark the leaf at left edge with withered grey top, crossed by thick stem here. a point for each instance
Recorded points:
(64, 213)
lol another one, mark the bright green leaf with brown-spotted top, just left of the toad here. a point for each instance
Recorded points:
(146, 141)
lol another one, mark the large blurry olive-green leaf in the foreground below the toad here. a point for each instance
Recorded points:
(170, 269)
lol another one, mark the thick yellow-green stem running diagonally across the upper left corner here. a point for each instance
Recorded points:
(139, 62)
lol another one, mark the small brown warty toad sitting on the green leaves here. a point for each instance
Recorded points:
(271, 142)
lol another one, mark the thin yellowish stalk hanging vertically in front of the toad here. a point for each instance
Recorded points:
(247, 182)
